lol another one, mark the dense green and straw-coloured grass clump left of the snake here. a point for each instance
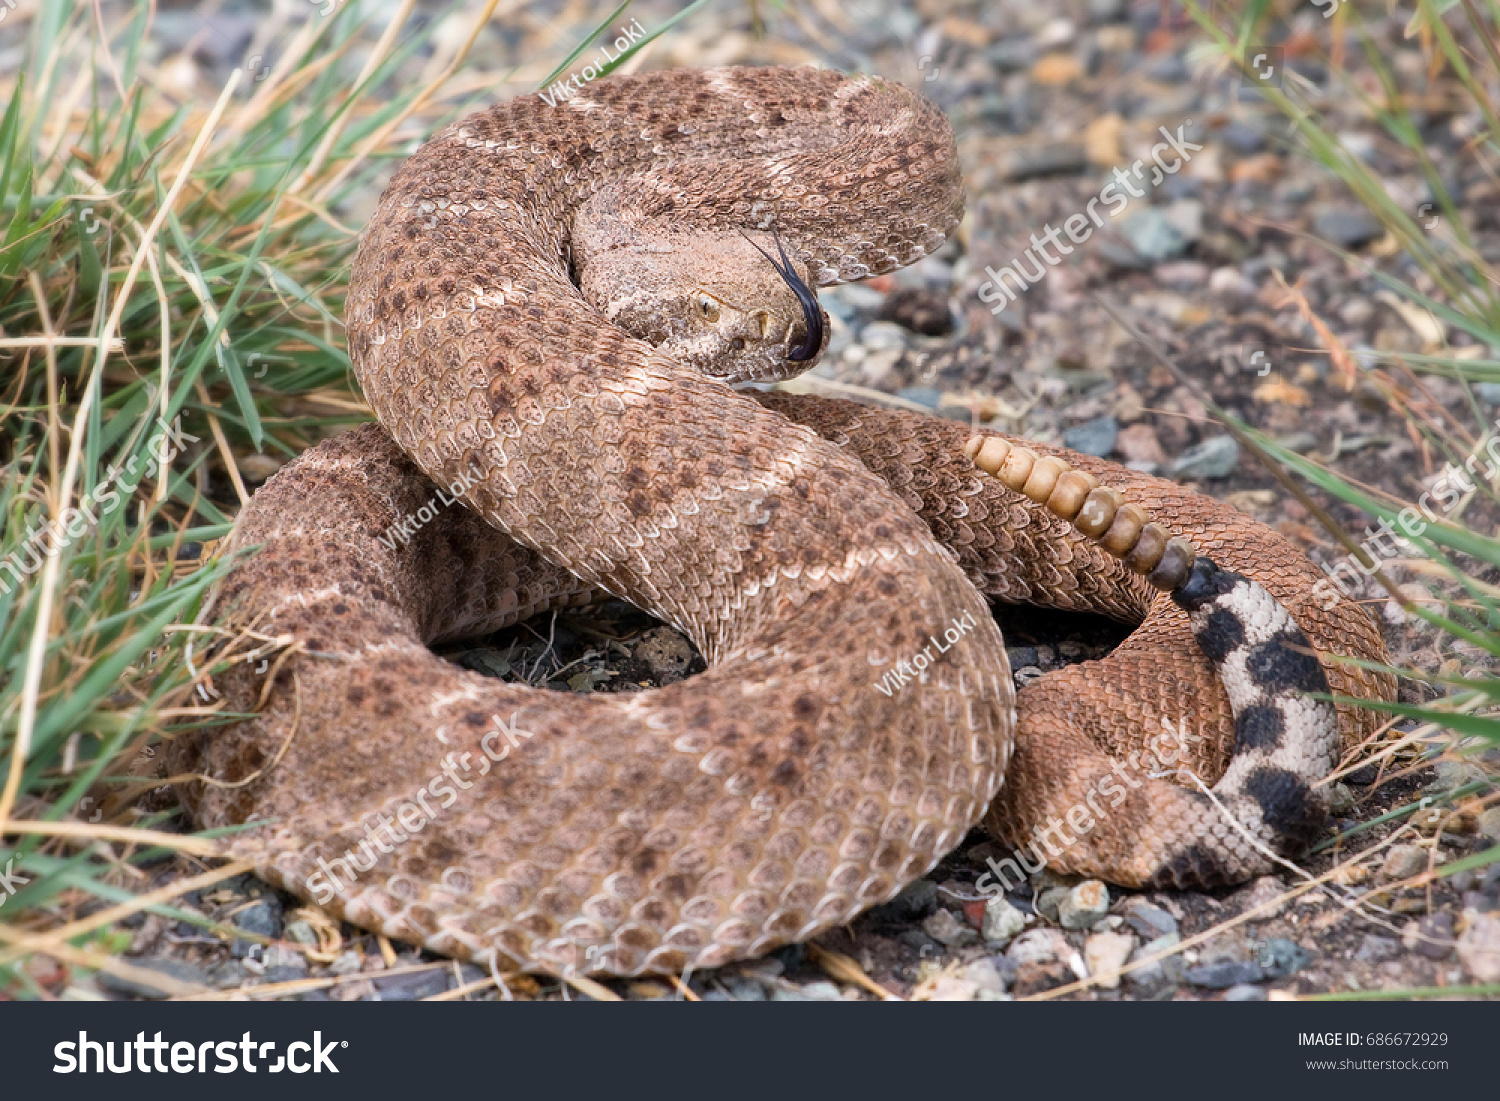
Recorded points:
(172, 290)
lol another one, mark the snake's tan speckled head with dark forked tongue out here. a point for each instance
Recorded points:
(715, 302)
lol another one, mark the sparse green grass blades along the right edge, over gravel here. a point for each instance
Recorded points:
(1450, 287)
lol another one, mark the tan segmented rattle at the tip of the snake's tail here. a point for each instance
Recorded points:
(1126, 530)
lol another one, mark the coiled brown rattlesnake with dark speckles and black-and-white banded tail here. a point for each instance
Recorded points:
(808, 547)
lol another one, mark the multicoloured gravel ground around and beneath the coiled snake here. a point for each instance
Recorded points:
(1046, 100)
